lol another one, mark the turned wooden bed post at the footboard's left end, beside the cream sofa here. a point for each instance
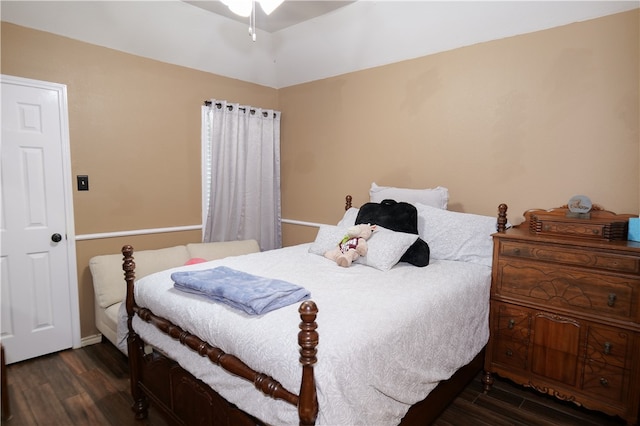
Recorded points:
(134, 343)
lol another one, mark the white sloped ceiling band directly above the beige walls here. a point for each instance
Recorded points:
(363, 34)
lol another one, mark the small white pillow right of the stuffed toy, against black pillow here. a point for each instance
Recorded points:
(386, 247)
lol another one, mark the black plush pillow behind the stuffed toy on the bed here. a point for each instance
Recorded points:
(399, 217)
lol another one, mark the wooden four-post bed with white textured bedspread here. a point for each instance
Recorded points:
(374, 346)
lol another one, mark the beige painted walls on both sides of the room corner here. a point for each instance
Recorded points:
(529, 121)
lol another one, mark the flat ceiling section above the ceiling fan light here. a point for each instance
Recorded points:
(289, 13)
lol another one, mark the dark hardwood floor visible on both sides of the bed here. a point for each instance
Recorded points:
(90, 386)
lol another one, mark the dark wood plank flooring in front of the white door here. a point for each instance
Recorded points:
(87, 386)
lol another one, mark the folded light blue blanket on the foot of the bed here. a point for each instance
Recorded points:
(250, 293)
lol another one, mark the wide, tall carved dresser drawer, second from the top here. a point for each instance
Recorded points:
(575, 289)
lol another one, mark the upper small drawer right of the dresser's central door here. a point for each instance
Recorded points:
(608, 346)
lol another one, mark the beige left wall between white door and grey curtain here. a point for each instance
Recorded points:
(134, 127)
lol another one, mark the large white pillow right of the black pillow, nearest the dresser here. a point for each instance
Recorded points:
(457, 236)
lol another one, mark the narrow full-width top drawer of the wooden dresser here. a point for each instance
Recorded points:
(573, 256)
